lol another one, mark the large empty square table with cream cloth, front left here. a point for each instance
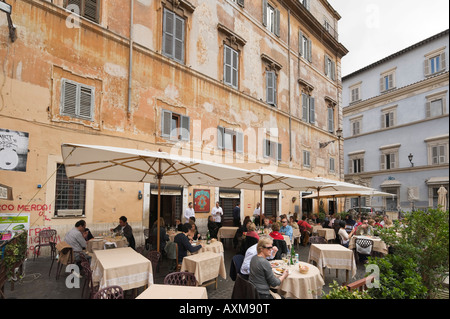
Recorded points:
(123, 267)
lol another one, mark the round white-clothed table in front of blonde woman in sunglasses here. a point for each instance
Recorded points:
(298, 285)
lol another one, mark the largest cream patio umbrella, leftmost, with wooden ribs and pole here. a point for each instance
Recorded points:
(130, 165)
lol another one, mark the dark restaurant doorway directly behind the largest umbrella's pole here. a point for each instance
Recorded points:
(171, 204)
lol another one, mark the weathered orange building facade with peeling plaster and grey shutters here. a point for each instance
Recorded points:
(252, 84)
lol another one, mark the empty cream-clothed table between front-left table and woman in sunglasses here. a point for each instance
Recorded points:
(206, 266)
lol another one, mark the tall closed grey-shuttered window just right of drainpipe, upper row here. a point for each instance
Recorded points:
(173, 36)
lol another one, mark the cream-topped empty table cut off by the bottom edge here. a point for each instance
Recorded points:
(173, 292)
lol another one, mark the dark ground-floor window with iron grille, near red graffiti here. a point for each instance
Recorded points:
(70, 193)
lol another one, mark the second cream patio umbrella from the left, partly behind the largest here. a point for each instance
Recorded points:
(262, 179)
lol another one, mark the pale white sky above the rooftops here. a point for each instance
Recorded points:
(374, 29)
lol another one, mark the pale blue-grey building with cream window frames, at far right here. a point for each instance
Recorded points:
(396, 125)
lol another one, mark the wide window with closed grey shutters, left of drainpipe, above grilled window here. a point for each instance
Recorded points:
(77, 100)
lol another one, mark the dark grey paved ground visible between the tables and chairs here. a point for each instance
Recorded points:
(36, 284)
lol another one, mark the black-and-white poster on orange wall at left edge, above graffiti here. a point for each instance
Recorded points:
(13, 150)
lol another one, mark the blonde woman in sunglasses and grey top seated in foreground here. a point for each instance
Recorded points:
(261, 274)
